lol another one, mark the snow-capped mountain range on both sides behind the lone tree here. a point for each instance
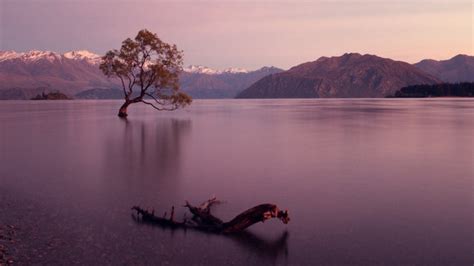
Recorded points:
(77, 74)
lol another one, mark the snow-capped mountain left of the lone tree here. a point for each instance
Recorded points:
(69, 72)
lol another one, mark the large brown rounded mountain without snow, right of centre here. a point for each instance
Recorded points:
(349, 75)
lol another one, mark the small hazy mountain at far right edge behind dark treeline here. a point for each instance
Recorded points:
(457, 69)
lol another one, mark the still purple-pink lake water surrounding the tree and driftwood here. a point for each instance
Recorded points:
(366, 181)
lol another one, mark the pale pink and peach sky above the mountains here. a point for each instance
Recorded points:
(247, 34)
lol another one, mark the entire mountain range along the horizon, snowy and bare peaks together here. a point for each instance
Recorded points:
(76, 73)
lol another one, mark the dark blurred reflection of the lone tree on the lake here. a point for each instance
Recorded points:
(145, 152)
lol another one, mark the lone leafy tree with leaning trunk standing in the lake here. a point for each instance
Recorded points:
(148, 69)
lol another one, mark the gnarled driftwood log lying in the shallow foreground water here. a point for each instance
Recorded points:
(202, 218)
